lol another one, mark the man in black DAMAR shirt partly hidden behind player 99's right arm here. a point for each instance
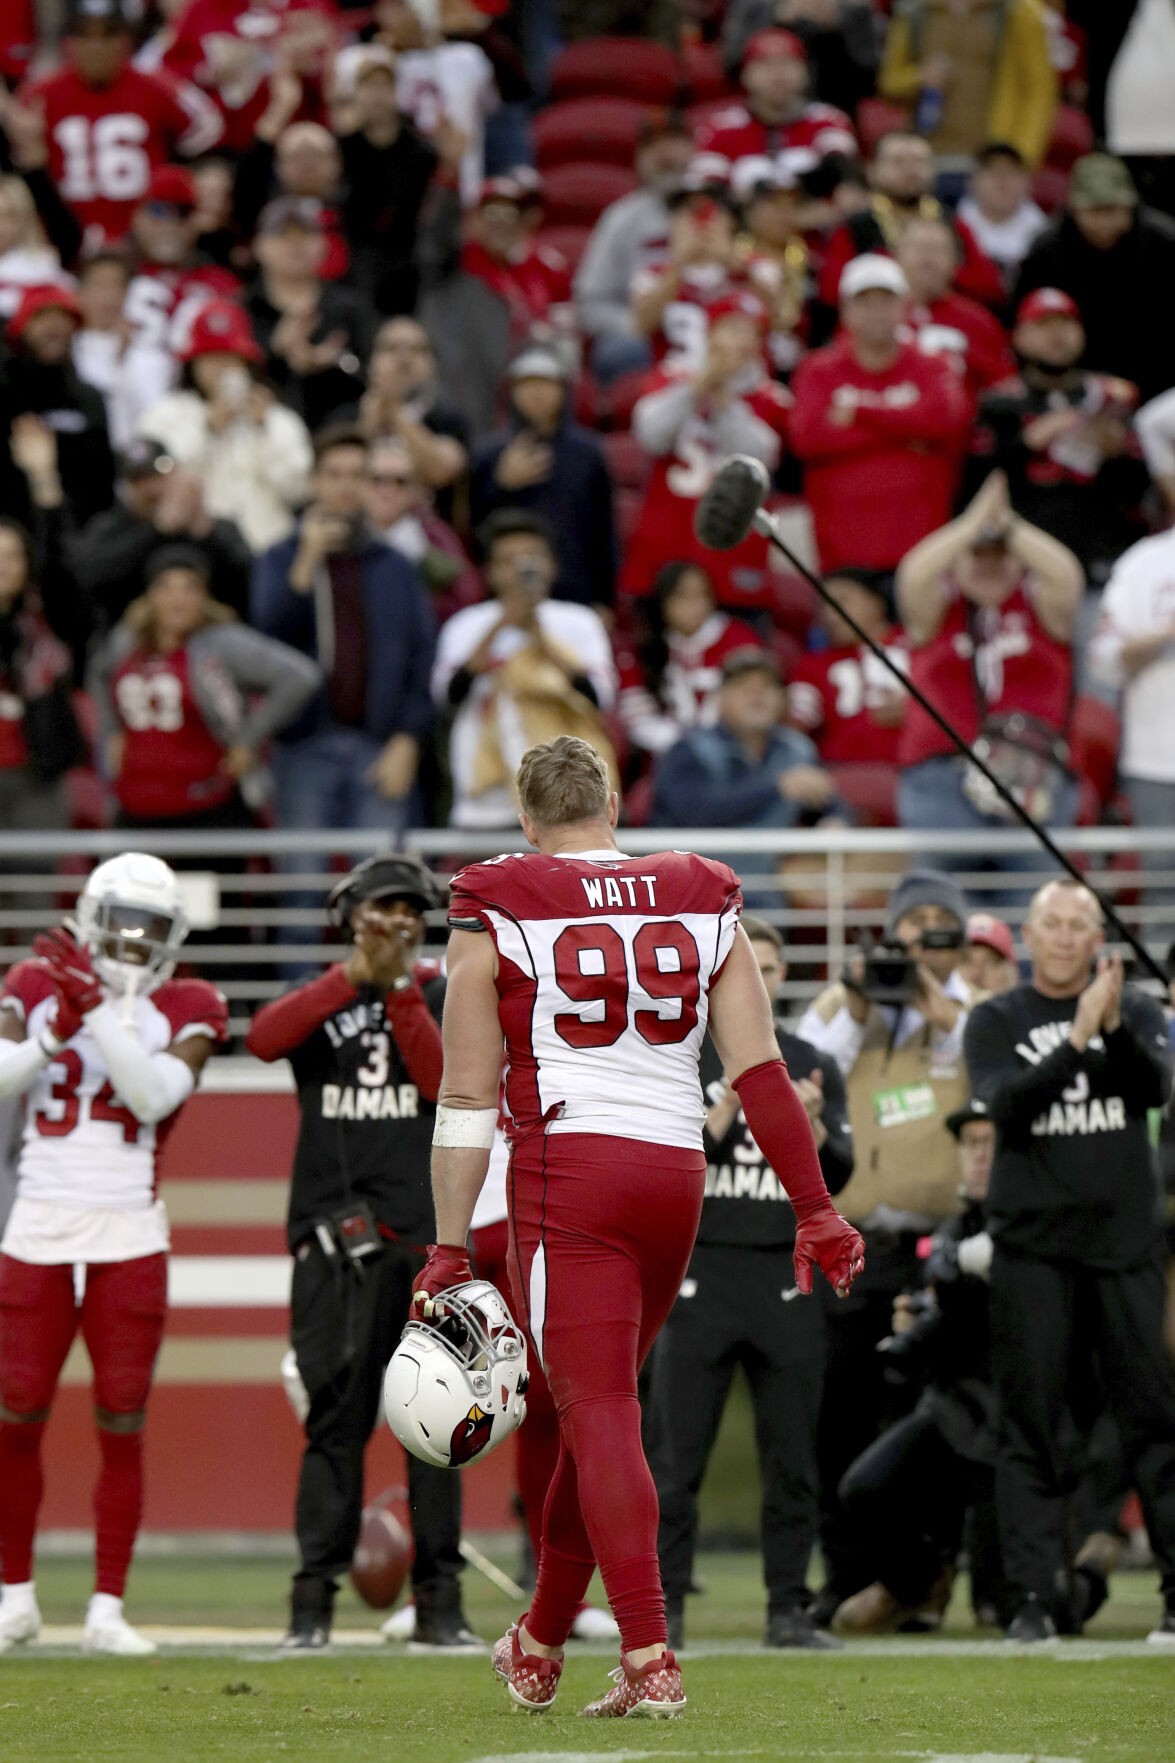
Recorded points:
(740, 1306)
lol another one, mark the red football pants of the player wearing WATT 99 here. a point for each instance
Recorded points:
(601, 1239)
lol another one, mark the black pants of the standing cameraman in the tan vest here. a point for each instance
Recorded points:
(858, 1402)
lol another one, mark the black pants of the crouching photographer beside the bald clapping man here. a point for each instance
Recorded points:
(911, 1492)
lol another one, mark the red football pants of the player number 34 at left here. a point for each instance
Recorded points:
(121, 1316)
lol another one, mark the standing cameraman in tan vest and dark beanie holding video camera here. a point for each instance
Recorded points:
(904, 1075)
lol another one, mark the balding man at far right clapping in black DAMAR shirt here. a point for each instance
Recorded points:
(1068, 1069)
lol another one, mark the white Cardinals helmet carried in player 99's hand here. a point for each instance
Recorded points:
(456, 1388)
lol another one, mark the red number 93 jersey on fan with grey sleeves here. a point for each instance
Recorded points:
(172, 761)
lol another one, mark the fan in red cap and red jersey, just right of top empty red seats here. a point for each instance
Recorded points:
(777, 117)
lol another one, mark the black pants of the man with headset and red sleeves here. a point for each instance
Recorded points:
(345, 1328)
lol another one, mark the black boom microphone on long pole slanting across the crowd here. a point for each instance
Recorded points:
(726, 516)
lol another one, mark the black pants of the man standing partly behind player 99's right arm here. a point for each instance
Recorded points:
(740, 1307)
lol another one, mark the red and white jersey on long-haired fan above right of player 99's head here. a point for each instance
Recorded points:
(689, 690)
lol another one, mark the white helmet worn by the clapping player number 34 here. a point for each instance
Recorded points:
(131, 921)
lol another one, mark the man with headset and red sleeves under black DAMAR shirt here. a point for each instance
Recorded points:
(366, 1053)
